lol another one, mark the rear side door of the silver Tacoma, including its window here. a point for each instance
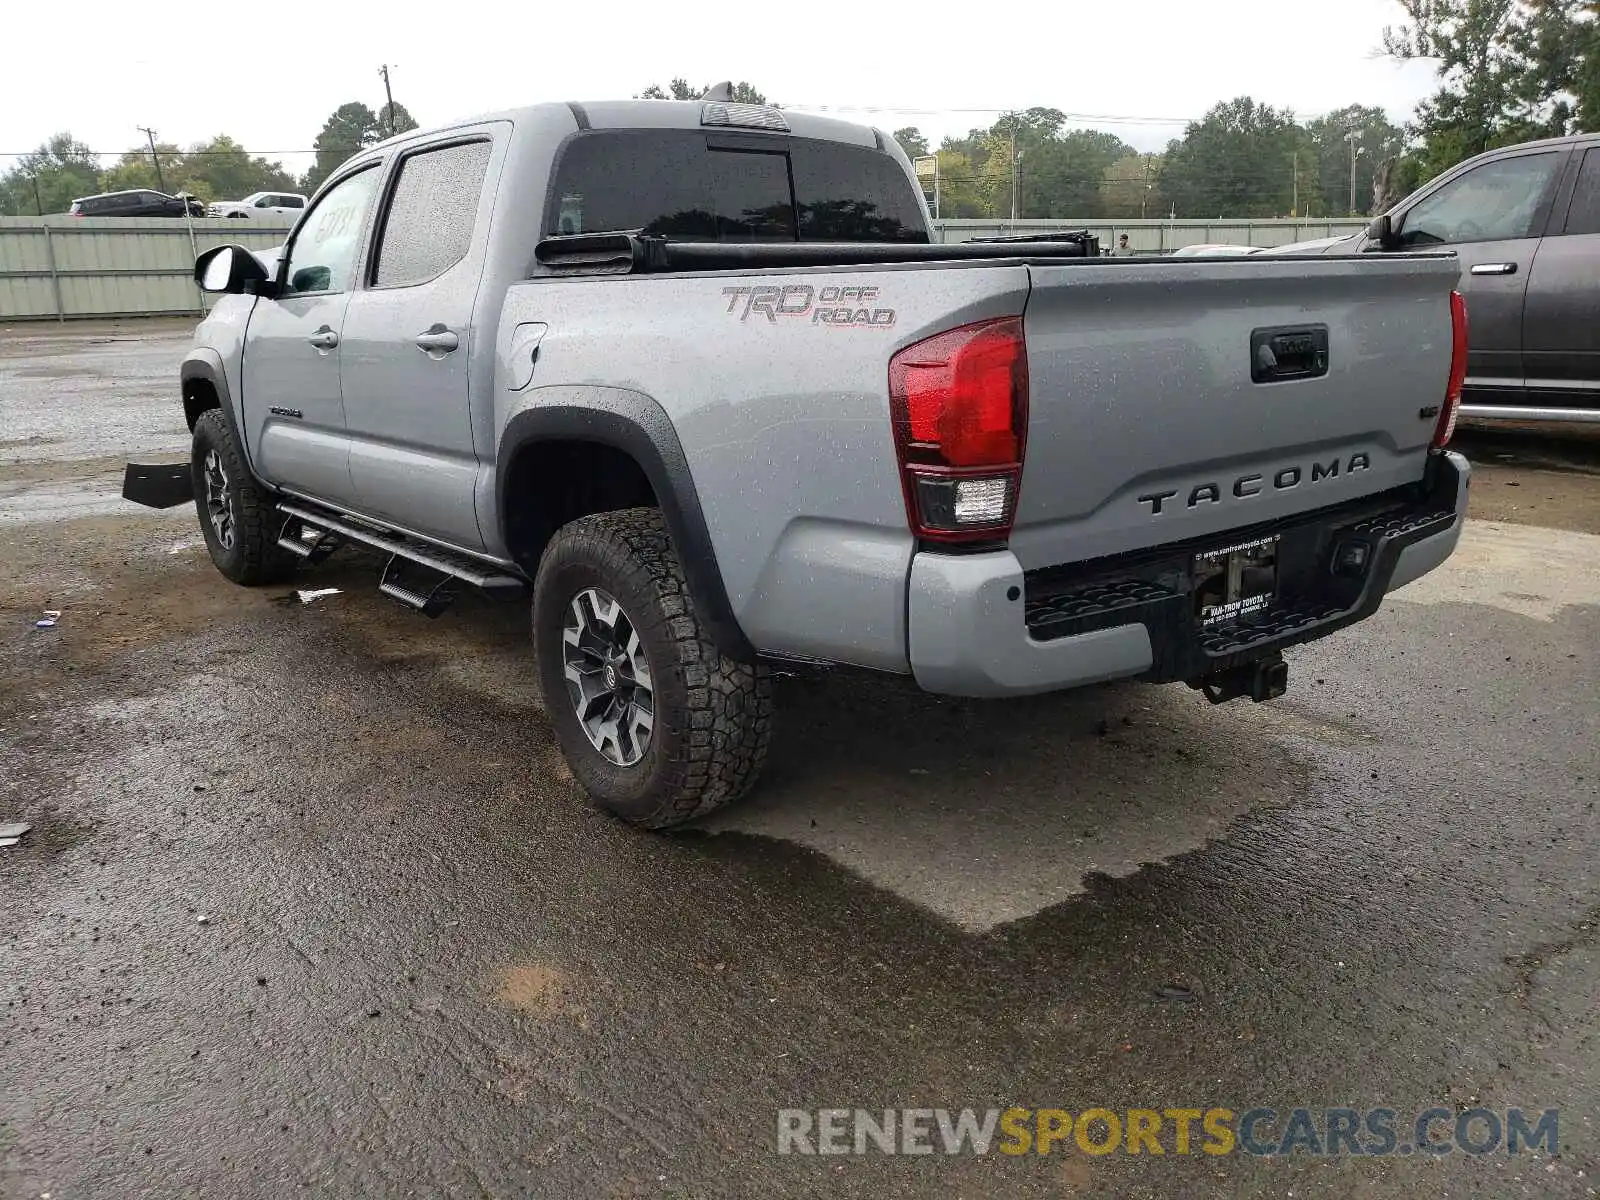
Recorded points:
(409, 342)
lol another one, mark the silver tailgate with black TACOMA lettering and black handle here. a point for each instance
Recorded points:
(1148, 423)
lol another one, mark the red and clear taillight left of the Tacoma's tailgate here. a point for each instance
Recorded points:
(959, 404)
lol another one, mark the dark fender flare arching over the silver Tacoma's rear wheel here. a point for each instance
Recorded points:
(641, 428)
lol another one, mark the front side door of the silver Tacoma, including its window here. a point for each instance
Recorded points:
(292, 406)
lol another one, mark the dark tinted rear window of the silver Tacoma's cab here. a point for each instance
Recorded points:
(692, 186)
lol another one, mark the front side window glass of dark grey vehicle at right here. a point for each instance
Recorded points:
(1494, 202)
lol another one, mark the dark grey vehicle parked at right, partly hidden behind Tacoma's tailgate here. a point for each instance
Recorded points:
(1526, 225)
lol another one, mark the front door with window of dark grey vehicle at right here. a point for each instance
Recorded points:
(1490, 217)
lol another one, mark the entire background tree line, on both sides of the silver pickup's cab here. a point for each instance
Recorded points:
(1508, 71)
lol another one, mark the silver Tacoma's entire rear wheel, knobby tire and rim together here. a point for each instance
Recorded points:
(655, 722)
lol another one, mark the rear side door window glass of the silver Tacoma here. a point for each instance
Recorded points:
(431, 214)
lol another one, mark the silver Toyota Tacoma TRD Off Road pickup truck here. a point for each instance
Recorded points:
(695, 375)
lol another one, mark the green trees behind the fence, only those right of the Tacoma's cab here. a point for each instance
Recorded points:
(1510, 71)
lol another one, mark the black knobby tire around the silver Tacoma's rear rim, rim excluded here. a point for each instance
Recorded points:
(713, 714)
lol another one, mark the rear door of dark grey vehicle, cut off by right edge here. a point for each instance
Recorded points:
(1562, 318)
